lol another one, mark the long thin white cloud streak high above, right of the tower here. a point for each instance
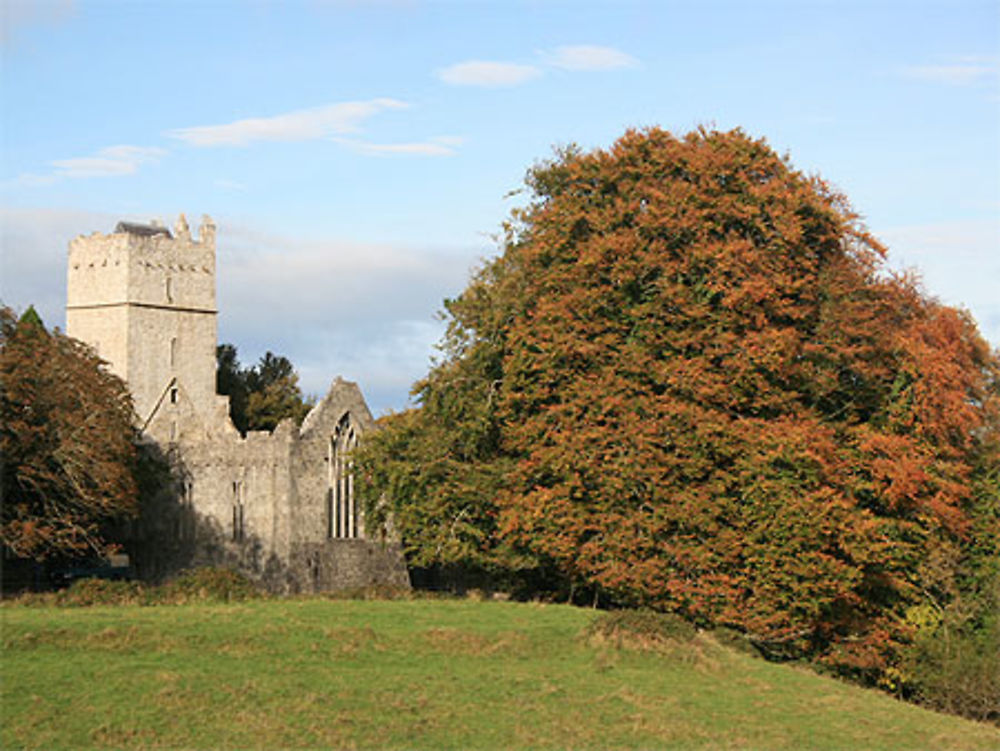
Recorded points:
(299, 125)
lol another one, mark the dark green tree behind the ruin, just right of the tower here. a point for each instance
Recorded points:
(260, 396)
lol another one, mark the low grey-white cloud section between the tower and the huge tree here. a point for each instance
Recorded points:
(334, 307)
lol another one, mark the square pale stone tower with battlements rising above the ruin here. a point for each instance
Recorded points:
(144, 298)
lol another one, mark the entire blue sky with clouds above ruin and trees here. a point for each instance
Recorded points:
(358, 156)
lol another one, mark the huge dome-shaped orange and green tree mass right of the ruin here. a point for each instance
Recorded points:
(690, 383)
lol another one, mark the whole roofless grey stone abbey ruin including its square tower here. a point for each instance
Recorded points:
(279, 506)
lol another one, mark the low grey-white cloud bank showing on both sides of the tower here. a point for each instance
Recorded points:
(333, 307)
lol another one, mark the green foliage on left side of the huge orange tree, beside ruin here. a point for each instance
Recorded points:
(441, 465)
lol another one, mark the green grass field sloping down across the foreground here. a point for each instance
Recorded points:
(433, 674)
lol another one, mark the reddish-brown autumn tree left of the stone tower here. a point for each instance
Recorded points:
(67, 441)
